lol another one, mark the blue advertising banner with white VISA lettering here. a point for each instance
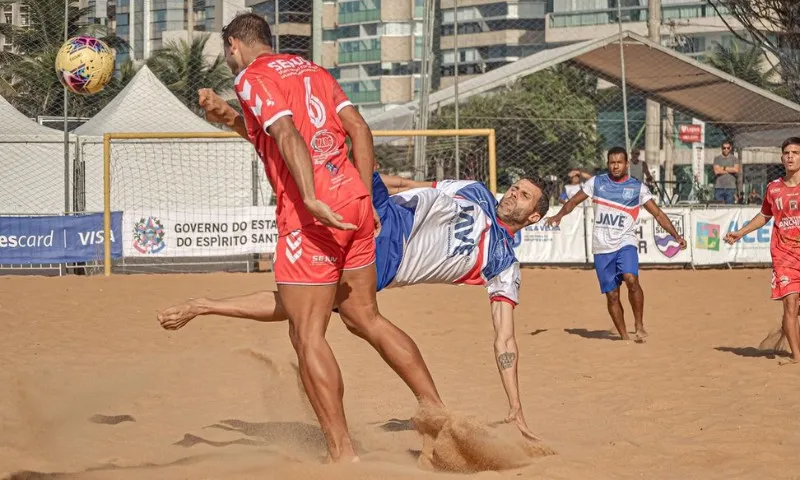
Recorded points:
(57, 238)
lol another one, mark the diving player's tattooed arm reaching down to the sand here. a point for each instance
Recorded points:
(507, 357)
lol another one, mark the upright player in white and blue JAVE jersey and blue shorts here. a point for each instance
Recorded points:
(617, 198)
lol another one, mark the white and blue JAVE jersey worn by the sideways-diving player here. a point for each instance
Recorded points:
(456, 238)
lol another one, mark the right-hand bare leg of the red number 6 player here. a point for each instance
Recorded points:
(358, 307)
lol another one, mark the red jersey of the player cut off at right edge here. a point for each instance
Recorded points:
(782, 202)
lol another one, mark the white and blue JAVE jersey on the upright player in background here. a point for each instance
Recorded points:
(616, 209)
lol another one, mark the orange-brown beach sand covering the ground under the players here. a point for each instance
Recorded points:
(92, 387)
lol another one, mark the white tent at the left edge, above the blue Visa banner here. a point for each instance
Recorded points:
(31, 165)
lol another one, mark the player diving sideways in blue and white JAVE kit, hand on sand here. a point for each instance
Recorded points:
(450, 232)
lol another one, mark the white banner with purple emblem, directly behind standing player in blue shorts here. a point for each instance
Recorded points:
(656, 246)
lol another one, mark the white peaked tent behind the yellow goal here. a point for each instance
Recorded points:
(163, 173)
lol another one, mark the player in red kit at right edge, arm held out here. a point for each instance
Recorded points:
(782, 203)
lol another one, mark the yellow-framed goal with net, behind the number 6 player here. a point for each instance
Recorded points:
(164, 184)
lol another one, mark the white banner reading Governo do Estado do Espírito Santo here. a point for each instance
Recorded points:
(199, 233)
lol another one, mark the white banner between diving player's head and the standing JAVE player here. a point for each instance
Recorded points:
(562, 244)
